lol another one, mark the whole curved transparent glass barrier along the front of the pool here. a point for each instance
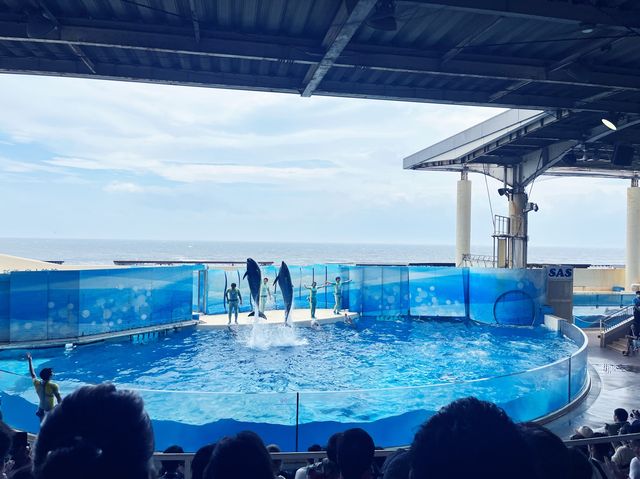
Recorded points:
(300, 419)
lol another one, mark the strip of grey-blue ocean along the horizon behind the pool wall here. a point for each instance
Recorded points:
(105, 251)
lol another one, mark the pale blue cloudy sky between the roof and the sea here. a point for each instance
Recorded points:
(115, 160)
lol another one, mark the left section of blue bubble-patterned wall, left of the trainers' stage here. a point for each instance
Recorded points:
(54, 305)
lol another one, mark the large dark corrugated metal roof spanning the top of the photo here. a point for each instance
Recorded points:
(543, 54)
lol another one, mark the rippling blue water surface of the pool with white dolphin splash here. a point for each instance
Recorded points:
(373, 354)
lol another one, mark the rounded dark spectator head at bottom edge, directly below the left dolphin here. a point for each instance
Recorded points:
(240, 457)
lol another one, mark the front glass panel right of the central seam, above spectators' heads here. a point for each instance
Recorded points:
(393, 415)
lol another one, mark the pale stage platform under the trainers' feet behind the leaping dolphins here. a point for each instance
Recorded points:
(298, 317)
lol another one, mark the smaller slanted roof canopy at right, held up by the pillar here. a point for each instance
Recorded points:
(518, 145)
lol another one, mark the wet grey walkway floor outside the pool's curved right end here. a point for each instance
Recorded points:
(615, 382)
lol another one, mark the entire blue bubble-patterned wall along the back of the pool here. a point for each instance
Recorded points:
(54, 305)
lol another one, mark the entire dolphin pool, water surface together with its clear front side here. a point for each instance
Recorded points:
(295, 386)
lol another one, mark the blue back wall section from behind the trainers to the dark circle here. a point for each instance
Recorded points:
(503, 296)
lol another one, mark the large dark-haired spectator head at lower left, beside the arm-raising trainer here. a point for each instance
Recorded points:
(97, 432)
